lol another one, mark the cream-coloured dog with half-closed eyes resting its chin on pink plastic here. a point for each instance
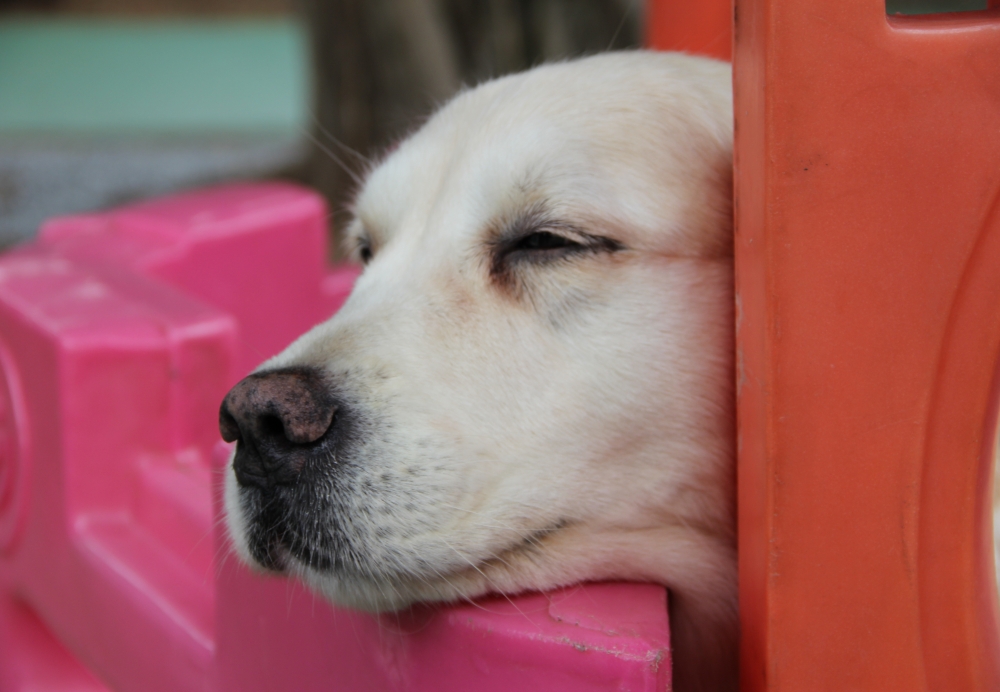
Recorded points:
(532, 382)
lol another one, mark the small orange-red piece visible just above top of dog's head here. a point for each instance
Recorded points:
(703, 27)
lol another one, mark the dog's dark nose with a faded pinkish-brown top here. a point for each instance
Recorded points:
(276, 418)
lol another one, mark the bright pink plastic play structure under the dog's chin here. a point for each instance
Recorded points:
(119, 335)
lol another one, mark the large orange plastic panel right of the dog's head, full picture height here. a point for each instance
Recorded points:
(868, 280)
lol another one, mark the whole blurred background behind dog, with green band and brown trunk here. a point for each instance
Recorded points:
(107, 101)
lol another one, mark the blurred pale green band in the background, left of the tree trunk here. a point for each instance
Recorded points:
(153, 77)
